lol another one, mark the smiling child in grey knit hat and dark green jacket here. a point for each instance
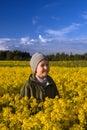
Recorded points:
(39, 85)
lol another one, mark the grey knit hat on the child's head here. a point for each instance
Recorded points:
(35, 59)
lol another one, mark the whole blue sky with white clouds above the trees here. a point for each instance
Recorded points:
(47, 26)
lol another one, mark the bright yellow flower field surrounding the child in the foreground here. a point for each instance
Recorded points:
(66, 113)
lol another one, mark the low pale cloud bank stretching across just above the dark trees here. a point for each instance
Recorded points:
(54, 45)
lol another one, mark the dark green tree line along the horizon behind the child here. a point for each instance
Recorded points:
(19, 55)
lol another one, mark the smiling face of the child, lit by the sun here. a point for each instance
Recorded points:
(42, 69)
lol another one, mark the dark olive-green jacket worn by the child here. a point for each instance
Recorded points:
(32, 88)
